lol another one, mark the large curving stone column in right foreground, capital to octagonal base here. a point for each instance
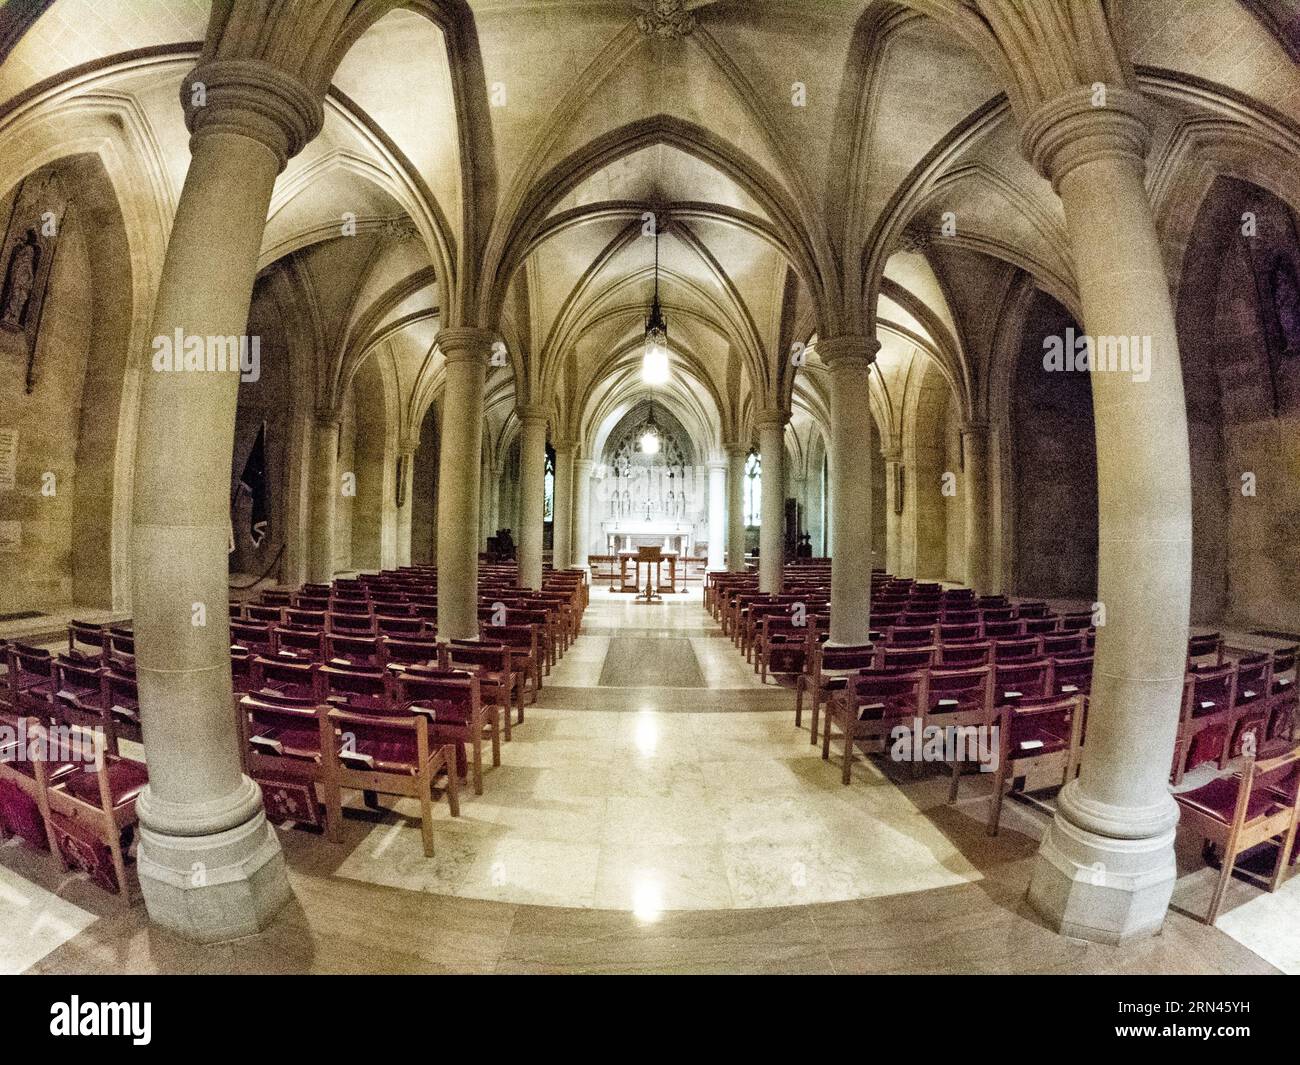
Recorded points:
(1106, 871)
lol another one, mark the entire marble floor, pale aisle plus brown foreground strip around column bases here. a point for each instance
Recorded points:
(656, 812)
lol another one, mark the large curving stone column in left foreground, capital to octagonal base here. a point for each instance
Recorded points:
(210, 865)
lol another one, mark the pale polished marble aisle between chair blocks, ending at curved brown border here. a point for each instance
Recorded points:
(656, 773)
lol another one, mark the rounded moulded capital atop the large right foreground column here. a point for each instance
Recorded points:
(1069, 131)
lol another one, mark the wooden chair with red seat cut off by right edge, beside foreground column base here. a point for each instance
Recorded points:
(1256, 804)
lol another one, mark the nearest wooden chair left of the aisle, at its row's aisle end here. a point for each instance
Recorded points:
(385, 756)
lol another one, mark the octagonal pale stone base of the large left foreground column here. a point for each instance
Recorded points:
(214, 887)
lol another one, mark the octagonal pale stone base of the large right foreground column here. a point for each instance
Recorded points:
(1102, 889)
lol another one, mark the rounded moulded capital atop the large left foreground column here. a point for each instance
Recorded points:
(254, 99)
